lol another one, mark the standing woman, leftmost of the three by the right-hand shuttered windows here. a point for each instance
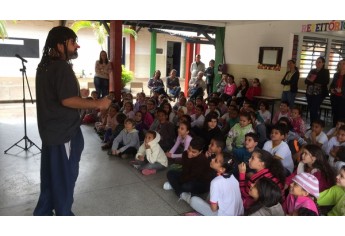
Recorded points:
(290, 82)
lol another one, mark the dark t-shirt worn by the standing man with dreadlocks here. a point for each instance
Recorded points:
(56, 123)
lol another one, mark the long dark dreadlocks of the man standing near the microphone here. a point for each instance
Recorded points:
(57, 35)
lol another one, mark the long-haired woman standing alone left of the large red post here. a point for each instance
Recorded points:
(102, 70)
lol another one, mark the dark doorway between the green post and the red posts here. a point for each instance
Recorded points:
(173, 57)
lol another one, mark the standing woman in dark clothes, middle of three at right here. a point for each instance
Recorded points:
(317, 81)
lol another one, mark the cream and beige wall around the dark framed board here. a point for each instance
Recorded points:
(242, 42)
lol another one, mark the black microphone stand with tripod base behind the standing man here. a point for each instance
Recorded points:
(28, 142)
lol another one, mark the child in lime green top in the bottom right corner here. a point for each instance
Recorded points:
(335, 196)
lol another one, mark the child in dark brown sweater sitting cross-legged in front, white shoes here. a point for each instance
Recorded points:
(195, 176)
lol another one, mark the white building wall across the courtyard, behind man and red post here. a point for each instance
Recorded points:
(10, 76)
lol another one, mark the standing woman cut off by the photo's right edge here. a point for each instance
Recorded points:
(337, 89)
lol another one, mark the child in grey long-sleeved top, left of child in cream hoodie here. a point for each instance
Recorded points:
(127, 142)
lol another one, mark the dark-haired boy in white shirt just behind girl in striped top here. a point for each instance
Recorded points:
(279, 149)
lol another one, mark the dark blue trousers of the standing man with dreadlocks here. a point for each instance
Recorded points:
(58, 176)
